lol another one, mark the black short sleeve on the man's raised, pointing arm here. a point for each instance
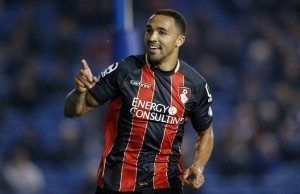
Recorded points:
(109, 84)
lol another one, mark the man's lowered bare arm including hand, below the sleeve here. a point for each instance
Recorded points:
(193, 176)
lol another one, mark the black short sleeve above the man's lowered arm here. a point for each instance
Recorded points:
(201, 114)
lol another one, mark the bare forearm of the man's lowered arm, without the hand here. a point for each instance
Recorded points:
(203, 148)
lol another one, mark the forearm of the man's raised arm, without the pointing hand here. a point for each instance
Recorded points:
(75, 104)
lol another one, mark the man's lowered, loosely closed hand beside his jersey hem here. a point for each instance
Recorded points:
(193, 176)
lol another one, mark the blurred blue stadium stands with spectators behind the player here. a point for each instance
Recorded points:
(248, 50)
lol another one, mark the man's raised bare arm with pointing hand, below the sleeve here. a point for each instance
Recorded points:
(80, 101)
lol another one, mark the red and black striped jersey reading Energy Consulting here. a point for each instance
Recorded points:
(145, 123)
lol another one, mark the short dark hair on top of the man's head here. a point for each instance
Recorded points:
(178, 17)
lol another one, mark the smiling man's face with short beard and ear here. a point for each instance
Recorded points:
(162, 38)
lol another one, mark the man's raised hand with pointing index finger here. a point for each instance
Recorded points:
(84, 80)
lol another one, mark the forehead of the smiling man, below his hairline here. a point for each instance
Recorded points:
(162, 21)
